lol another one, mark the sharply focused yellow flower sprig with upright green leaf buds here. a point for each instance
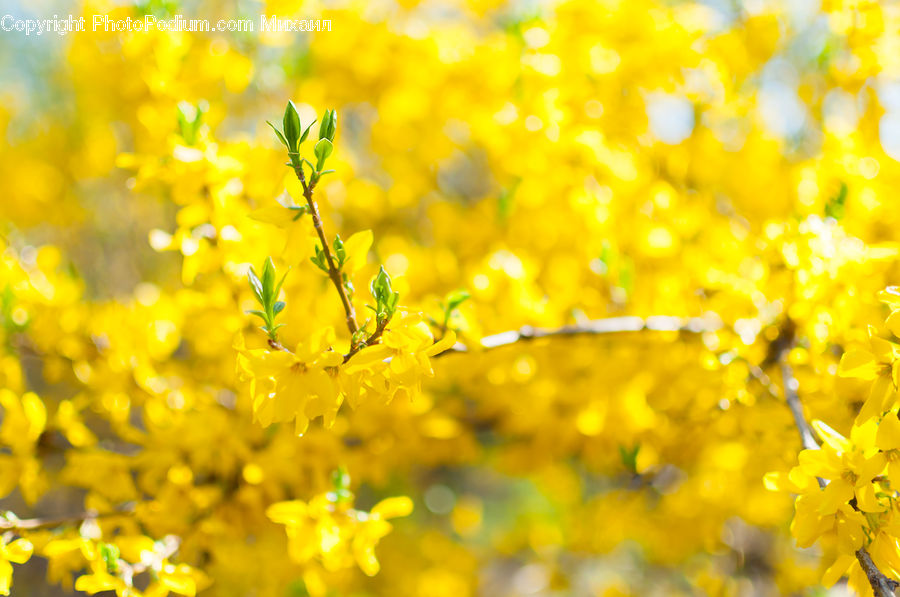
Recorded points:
(313, 379)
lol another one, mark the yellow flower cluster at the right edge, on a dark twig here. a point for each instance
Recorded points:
(848, 489)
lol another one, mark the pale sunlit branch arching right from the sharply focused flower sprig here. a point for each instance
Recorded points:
(610, 325)
